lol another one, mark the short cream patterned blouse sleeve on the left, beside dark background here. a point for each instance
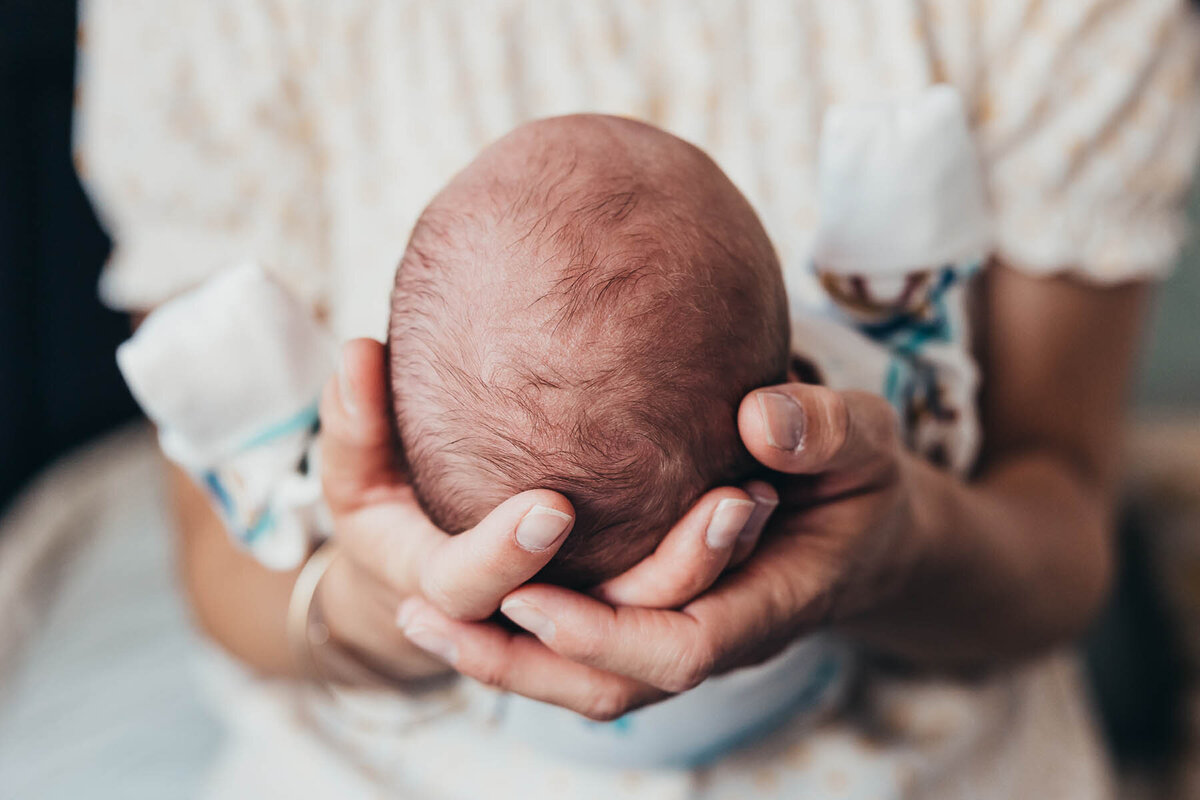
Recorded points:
(197, 146)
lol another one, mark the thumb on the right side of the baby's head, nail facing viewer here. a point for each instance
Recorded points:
(805, 430)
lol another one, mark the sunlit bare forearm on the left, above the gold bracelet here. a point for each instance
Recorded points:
(236, 600)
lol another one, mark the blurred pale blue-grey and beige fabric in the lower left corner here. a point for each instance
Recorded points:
(98, 690)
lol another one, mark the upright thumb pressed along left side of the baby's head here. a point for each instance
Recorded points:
(359, 453)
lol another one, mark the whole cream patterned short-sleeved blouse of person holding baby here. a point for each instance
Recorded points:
(309, 135)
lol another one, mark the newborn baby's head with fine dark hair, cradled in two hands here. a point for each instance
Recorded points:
(581, 310)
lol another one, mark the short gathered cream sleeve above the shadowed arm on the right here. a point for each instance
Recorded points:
(1089, 117)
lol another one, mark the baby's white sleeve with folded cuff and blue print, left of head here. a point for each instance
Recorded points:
(231, 372)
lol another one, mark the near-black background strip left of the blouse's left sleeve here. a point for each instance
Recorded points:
(58, 378)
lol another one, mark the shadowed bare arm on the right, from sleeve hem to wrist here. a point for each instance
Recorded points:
(1021, 558)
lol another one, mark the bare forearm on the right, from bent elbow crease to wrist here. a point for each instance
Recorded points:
(1005, 567)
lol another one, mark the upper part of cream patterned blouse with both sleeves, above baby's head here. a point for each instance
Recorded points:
(311, 135)
